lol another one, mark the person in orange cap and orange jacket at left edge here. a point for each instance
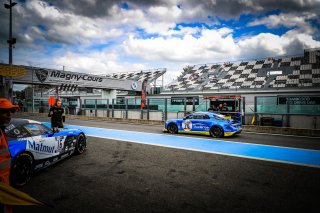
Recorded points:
(6, 108)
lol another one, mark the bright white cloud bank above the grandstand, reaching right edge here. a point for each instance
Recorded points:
(219, 45)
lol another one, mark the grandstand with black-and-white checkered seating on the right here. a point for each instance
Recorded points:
(281, 73)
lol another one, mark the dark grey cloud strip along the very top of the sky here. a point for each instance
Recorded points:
(222, 8)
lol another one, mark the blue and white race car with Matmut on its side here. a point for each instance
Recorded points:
(34, 146)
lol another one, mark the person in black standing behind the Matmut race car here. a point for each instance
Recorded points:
(57, 115)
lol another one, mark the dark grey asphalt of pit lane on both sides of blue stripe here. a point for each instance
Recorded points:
(118, 176)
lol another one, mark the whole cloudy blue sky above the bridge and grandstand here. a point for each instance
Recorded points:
(100, 36)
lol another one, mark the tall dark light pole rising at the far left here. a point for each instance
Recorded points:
(11, 41)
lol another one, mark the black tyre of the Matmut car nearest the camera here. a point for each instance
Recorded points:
(21, 169)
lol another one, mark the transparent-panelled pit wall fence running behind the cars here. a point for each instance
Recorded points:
(263, 111)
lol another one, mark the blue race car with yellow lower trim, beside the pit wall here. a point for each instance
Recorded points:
(204, 123)
